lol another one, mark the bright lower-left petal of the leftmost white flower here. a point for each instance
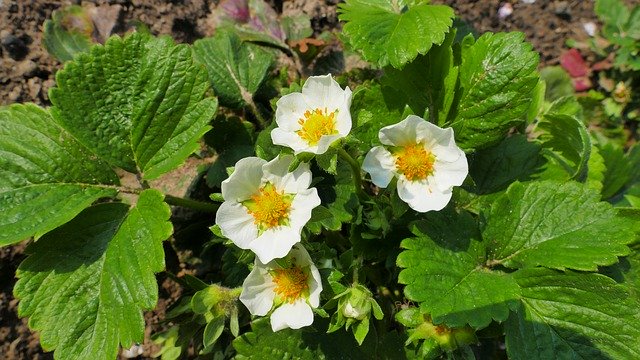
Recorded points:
(236, 224)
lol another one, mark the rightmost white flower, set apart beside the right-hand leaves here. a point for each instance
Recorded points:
(424, 158)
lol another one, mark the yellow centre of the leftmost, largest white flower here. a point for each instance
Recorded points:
(269, 207)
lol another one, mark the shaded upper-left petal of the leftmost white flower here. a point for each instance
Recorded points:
(244, 181)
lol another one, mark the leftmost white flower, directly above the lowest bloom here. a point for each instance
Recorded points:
(266, 206)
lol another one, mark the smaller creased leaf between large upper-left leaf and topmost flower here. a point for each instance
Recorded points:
(236, 68)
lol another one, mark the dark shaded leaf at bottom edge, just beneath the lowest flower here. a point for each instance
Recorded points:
(310, 343)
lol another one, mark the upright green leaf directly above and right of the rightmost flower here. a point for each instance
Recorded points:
(498, 79)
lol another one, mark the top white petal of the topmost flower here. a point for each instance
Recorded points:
(324, 92)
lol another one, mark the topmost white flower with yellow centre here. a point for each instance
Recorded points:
(312, 120)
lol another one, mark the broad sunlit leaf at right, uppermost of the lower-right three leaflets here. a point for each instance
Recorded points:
(557, 225)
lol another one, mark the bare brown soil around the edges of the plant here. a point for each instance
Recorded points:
(27, 72)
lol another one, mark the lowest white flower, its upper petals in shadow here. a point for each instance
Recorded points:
(291, 285)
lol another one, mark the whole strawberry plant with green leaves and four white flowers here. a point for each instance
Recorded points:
(439, 206)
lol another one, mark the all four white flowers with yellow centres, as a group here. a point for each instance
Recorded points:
(266, 206)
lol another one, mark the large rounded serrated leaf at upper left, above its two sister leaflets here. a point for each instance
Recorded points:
(138, 103)
